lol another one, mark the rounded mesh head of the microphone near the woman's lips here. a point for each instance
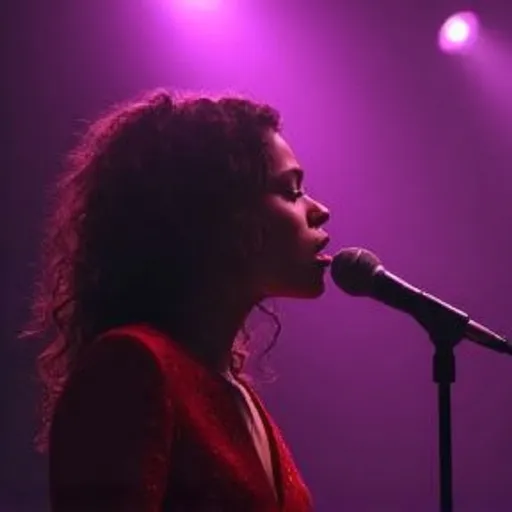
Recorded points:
(353, 270)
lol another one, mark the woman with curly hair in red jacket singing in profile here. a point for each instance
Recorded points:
(176, 217)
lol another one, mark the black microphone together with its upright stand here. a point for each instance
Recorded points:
(446, 326)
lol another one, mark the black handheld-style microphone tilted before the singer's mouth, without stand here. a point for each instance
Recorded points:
(360, 273)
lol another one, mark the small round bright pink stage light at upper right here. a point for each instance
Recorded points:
(459, 32)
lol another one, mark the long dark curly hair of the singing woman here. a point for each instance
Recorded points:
(159, 193)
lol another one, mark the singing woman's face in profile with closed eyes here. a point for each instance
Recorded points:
(290, 263)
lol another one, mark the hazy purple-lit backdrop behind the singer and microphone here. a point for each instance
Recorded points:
(410, 148)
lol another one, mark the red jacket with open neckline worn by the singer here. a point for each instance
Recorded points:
(141, 426)
